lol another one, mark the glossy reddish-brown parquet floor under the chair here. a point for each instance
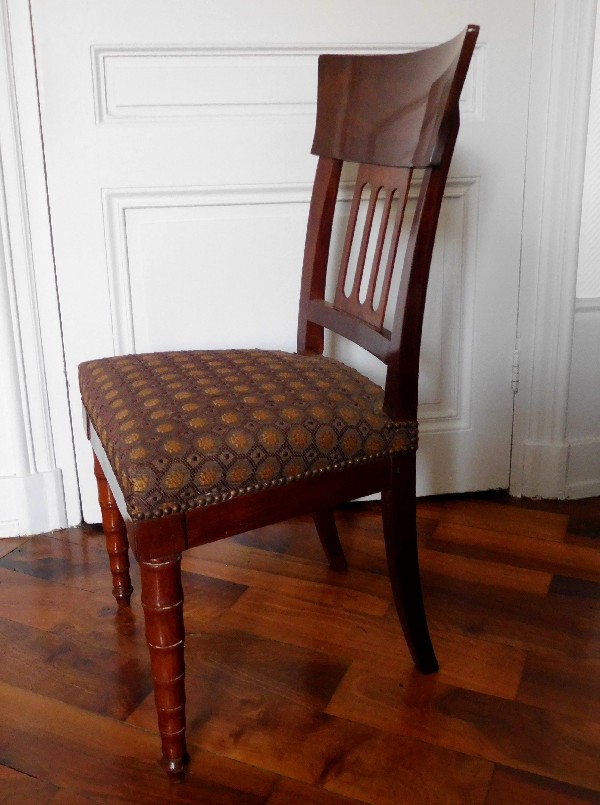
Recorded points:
(300, 689)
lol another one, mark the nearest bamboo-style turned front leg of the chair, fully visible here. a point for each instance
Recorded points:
(162, 600)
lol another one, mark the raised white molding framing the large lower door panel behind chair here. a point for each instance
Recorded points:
(451, 412)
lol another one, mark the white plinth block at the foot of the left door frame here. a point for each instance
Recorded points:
(32, 504)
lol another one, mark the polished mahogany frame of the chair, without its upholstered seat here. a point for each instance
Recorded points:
(390, 114)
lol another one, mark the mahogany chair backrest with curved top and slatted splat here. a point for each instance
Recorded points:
(390, 114)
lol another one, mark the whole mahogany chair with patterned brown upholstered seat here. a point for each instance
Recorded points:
(195, 446)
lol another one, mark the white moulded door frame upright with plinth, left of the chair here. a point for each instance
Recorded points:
(33, 411)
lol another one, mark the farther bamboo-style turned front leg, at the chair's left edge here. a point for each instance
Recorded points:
(115, 533)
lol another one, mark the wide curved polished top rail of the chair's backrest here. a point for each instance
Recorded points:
(392, 109)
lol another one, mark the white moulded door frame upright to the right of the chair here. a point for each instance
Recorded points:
(559, 103)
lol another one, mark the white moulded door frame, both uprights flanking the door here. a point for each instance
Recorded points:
(562, 52)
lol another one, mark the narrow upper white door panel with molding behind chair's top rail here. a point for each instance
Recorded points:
(164, 84)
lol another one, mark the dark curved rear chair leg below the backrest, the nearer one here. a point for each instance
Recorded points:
(400, 533)
